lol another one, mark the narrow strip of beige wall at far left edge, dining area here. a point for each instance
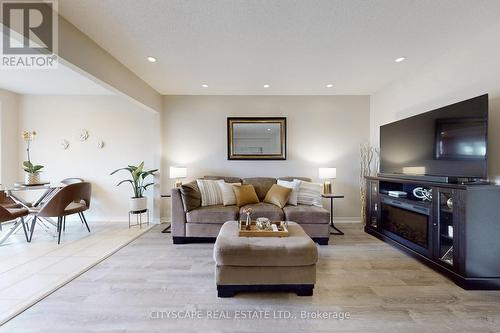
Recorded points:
(9, 136)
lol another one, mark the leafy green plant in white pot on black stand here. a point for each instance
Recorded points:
(138, 182)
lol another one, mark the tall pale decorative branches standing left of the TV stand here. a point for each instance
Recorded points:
(369, 165)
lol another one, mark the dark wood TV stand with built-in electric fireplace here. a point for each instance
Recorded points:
(456, 232)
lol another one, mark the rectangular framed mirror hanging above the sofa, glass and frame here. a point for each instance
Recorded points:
(256, 138)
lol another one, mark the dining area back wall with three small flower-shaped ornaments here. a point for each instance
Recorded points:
(130, 133)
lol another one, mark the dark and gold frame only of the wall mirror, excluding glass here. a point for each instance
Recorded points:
(231, 121)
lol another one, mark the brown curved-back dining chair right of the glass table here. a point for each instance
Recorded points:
(69, 200)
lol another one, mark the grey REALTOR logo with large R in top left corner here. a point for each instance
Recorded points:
(29, 34)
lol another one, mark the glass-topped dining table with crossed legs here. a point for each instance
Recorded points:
(40, 193)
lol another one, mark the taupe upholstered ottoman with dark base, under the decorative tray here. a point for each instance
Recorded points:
(264, 263)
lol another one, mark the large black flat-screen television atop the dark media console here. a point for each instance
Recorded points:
(447, 142)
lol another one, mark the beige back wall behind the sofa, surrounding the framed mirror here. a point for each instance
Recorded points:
(322, 131)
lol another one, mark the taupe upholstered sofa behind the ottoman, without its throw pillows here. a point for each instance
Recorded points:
(203, 223)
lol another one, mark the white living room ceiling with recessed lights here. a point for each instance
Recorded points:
(296, 46)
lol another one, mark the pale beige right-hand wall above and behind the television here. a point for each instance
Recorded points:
(457, 75)
